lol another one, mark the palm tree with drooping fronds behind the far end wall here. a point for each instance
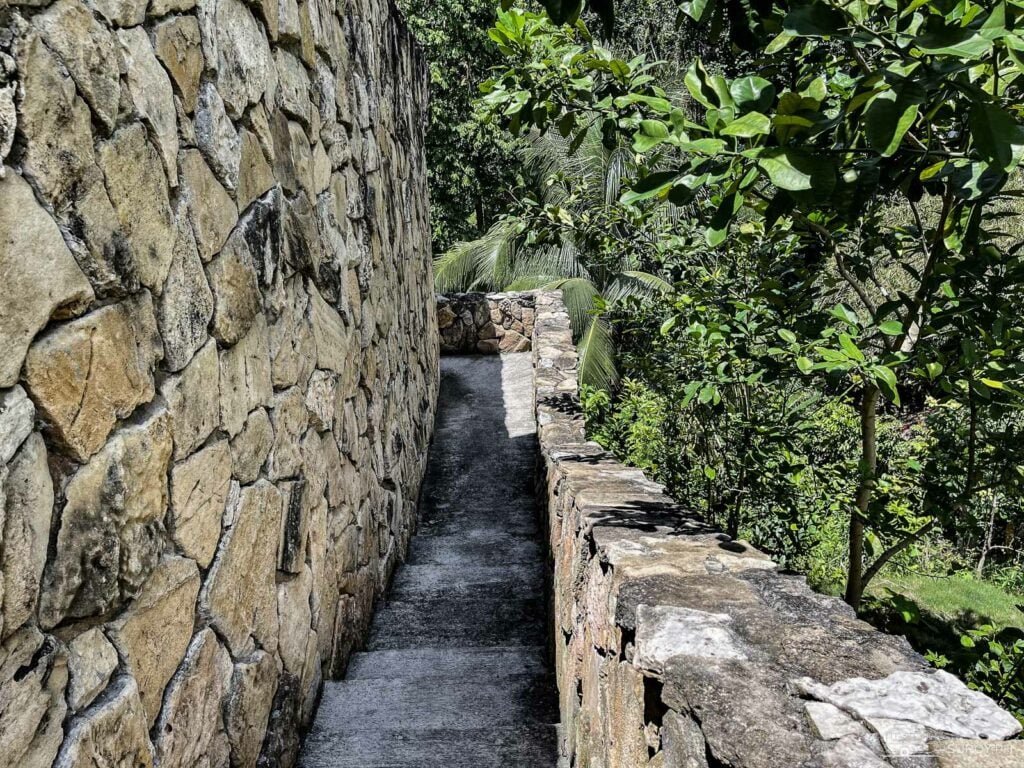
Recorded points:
(577, 185)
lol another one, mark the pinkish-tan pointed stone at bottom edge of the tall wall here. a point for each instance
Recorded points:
(191, 731)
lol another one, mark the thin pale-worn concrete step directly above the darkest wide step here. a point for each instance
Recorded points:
(500, 582)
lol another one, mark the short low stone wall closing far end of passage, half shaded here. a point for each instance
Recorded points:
(486, 323)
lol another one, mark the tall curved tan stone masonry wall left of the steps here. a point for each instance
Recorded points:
(219, 367)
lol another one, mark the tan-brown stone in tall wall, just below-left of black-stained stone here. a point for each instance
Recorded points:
(236, 289)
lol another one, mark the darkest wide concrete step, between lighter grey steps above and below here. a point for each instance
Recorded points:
(453, 621)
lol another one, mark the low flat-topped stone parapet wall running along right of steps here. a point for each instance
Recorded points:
(678, 648)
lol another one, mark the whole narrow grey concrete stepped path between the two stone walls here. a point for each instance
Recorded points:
(454, 674)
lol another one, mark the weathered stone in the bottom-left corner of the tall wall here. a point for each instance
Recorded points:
(33, 677)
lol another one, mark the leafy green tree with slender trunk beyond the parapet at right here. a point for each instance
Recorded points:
(837, 114)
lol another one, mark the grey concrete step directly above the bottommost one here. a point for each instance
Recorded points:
(375, 706)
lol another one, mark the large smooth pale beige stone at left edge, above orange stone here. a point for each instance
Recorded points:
(41, 279)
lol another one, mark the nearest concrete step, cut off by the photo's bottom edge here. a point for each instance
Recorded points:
(522, 747)
